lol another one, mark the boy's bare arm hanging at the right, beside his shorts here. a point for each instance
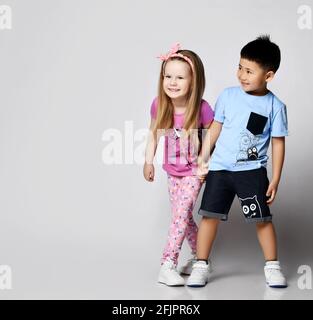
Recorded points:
(278, 156)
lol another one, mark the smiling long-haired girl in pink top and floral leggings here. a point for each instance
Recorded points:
(178, 113)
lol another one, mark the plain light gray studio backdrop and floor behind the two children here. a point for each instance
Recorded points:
(73, 227)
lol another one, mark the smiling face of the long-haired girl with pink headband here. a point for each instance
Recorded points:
(177, 79)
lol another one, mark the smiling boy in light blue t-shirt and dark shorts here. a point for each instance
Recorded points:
(246, 119)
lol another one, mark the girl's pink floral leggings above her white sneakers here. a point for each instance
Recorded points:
(183, 193)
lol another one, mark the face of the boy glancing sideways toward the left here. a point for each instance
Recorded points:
(252, 77)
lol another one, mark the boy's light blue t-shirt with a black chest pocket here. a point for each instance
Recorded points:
(248, 124)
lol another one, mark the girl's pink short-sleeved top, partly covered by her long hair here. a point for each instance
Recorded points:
(180, 157)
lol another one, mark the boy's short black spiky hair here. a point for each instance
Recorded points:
(263, 51)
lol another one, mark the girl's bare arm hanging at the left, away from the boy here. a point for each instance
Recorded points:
(152, 143)
